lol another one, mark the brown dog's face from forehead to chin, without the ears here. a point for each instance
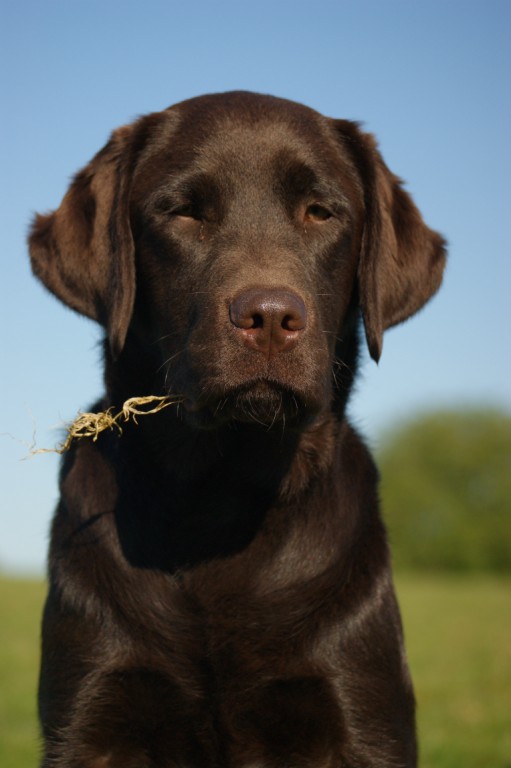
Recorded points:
(246, 238)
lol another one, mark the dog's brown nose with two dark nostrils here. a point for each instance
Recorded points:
(271, 320)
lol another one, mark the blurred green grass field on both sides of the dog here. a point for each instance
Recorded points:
(459, 642)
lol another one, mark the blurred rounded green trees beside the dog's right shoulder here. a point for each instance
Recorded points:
(446, 491)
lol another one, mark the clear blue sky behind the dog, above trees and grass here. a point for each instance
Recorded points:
(430, 79)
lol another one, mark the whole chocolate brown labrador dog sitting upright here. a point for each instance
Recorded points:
(220, 585)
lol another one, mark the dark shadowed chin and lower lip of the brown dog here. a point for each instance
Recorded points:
(262, 403)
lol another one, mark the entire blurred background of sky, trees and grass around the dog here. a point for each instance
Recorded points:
(431, 81)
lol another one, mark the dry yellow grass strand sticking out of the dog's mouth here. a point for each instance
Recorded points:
(92, 424)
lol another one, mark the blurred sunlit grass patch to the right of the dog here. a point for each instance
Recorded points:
(458, 633)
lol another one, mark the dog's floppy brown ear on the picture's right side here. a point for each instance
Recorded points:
(401, 260)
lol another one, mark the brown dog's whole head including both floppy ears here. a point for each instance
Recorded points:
(236, 235)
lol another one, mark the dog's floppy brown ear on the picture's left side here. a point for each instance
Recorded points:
(83, 252)
